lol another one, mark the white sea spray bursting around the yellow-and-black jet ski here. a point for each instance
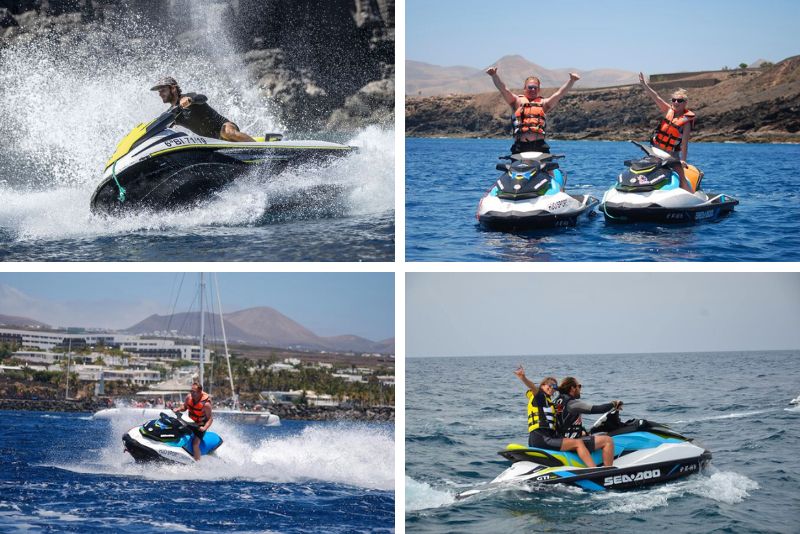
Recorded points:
(67, 101)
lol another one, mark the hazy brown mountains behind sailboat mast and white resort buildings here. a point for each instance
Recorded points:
(261, 326)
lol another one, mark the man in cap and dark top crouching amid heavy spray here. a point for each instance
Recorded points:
(198, 116)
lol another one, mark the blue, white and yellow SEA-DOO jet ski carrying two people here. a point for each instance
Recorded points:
(645, 453)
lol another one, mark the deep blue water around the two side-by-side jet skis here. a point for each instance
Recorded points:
(445, 179)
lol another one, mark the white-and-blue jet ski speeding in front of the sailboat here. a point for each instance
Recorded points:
(167, 439)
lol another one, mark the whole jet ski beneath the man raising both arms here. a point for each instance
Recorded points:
(529, 195)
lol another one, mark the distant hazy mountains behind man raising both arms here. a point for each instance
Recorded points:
(424, 79)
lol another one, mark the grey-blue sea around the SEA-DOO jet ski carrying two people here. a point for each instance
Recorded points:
(461, 411)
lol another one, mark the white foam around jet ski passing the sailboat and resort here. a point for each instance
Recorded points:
(352, 454)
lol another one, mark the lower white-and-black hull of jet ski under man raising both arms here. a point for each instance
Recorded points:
(552, 211)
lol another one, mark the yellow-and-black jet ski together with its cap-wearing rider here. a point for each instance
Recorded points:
(155, 167)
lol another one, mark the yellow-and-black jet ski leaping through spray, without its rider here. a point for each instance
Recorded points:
(158, 168)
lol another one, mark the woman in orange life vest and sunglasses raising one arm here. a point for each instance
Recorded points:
(672, 133)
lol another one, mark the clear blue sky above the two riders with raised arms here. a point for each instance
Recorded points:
(621, 34)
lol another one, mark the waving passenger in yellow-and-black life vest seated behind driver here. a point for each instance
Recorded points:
(542, 420)
